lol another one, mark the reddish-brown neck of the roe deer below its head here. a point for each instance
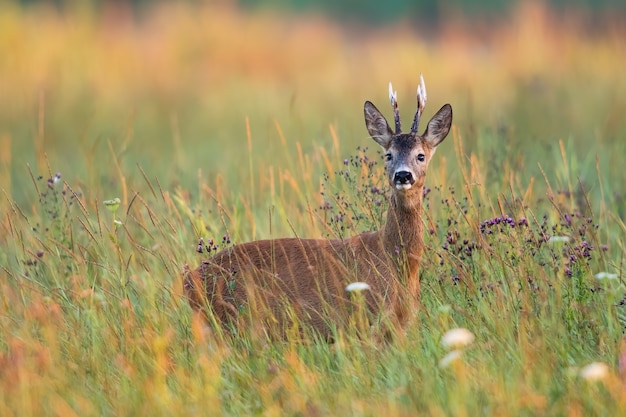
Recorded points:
(402, 233)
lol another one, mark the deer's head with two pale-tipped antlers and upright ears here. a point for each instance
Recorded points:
(407, 154)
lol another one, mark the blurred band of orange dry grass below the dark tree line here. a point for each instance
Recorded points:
(213, 49)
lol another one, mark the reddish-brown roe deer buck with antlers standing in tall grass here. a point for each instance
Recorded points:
(290, 282)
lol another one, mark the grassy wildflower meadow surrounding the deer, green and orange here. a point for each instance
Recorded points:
(211, 122)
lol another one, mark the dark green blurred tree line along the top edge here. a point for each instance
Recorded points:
(373, 11)
